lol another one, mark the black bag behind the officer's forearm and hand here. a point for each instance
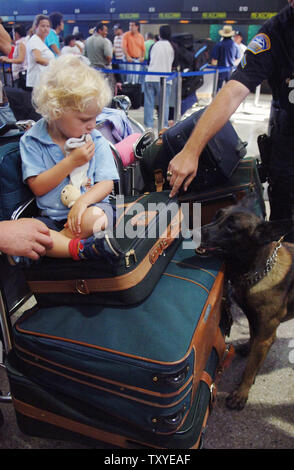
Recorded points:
(217, 162)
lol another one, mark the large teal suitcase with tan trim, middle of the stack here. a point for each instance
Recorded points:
(139, 368)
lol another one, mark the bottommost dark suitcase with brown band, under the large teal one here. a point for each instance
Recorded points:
(41, 413)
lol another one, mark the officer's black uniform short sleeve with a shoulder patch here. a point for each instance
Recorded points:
(255, 67)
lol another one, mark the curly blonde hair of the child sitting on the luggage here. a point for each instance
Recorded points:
(68, 83)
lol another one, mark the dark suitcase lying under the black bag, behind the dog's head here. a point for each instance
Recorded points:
(243, 181)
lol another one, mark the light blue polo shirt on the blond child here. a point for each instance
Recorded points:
(39, 153)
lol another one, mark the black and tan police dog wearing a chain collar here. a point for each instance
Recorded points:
(260, 268)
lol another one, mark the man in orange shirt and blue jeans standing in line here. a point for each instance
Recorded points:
(134, 50)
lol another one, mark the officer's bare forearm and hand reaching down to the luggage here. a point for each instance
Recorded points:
(185, 164)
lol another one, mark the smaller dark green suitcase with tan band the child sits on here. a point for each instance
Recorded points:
(148, 231)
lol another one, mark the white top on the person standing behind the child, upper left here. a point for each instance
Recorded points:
(34, 69)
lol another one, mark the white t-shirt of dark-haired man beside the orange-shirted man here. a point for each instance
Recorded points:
(161, 59)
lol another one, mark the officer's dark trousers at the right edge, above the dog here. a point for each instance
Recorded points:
(281, 181)
